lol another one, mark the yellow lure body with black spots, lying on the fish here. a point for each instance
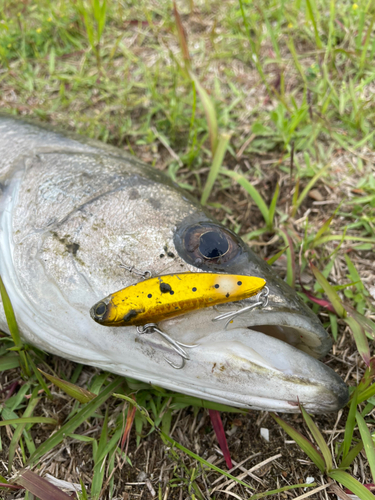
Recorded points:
(156, 299)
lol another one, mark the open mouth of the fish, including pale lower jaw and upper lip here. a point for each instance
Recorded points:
(266, 361)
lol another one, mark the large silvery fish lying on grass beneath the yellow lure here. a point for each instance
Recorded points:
(80, 219)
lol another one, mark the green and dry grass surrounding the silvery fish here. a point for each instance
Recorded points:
(265, 111)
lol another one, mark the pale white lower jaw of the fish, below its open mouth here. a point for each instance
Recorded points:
(261, 372)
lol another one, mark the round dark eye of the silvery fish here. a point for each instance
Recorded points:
(207, 244)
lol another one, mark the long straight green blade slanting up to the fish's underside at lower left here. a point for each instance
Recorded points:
(76, 421)
